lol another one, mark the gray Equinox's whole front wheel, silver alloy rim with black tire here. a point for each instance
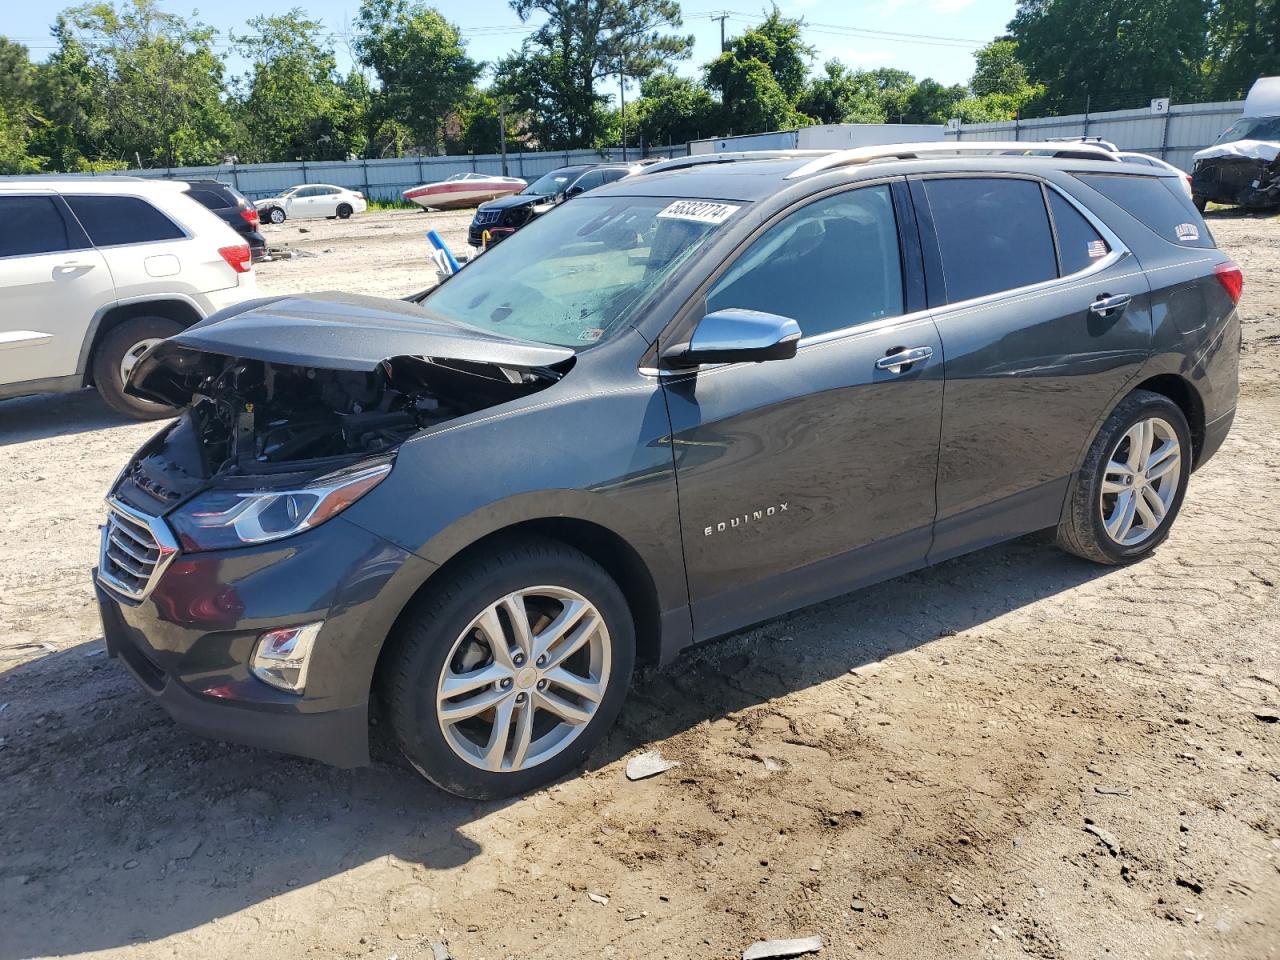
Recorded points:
(511, 673)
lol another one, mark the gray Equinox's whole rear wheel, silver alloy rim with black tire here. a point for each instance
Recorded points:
(1131, 488)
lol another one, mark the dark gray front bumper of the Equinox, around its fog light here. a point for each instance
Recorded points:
(190, 641)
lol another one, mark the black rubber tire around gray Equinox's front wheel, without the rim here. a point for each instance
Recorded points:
(426, 641)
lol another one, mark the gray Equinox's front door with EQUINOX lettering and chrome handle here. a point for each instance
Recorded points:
(802, 479)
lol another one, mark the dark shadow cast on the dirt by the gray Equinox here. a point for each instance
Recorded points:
(121, 829)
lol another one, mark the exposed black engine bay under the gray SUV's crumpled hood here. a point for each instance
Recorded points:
(252, 418)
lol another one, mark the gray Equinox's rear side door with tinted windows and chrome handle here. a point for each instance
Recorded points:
(1021, 277)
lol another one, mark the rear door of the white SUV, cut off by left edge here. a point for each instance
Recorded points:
(52, 284)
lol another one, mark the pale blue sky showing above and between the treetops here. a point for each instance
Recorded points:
(860, 33)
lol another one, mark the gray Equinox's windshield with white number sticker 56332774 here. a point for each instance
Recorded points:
(577, 276)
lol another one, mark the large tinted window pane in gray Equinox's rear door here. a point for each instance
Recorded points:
(994, 235)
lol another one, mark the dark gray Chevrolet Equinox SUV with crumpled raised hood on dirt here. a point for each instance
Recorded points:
(671, 409)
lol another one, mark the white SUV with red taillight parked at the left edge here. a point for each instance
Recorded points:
(94, 272)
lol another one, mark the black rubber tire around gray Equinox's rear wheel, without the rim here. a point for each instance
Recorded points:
(1082, 529)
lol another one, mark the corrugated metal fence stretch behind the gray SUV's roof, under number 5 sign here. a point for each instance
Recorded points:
(1172, 136)
